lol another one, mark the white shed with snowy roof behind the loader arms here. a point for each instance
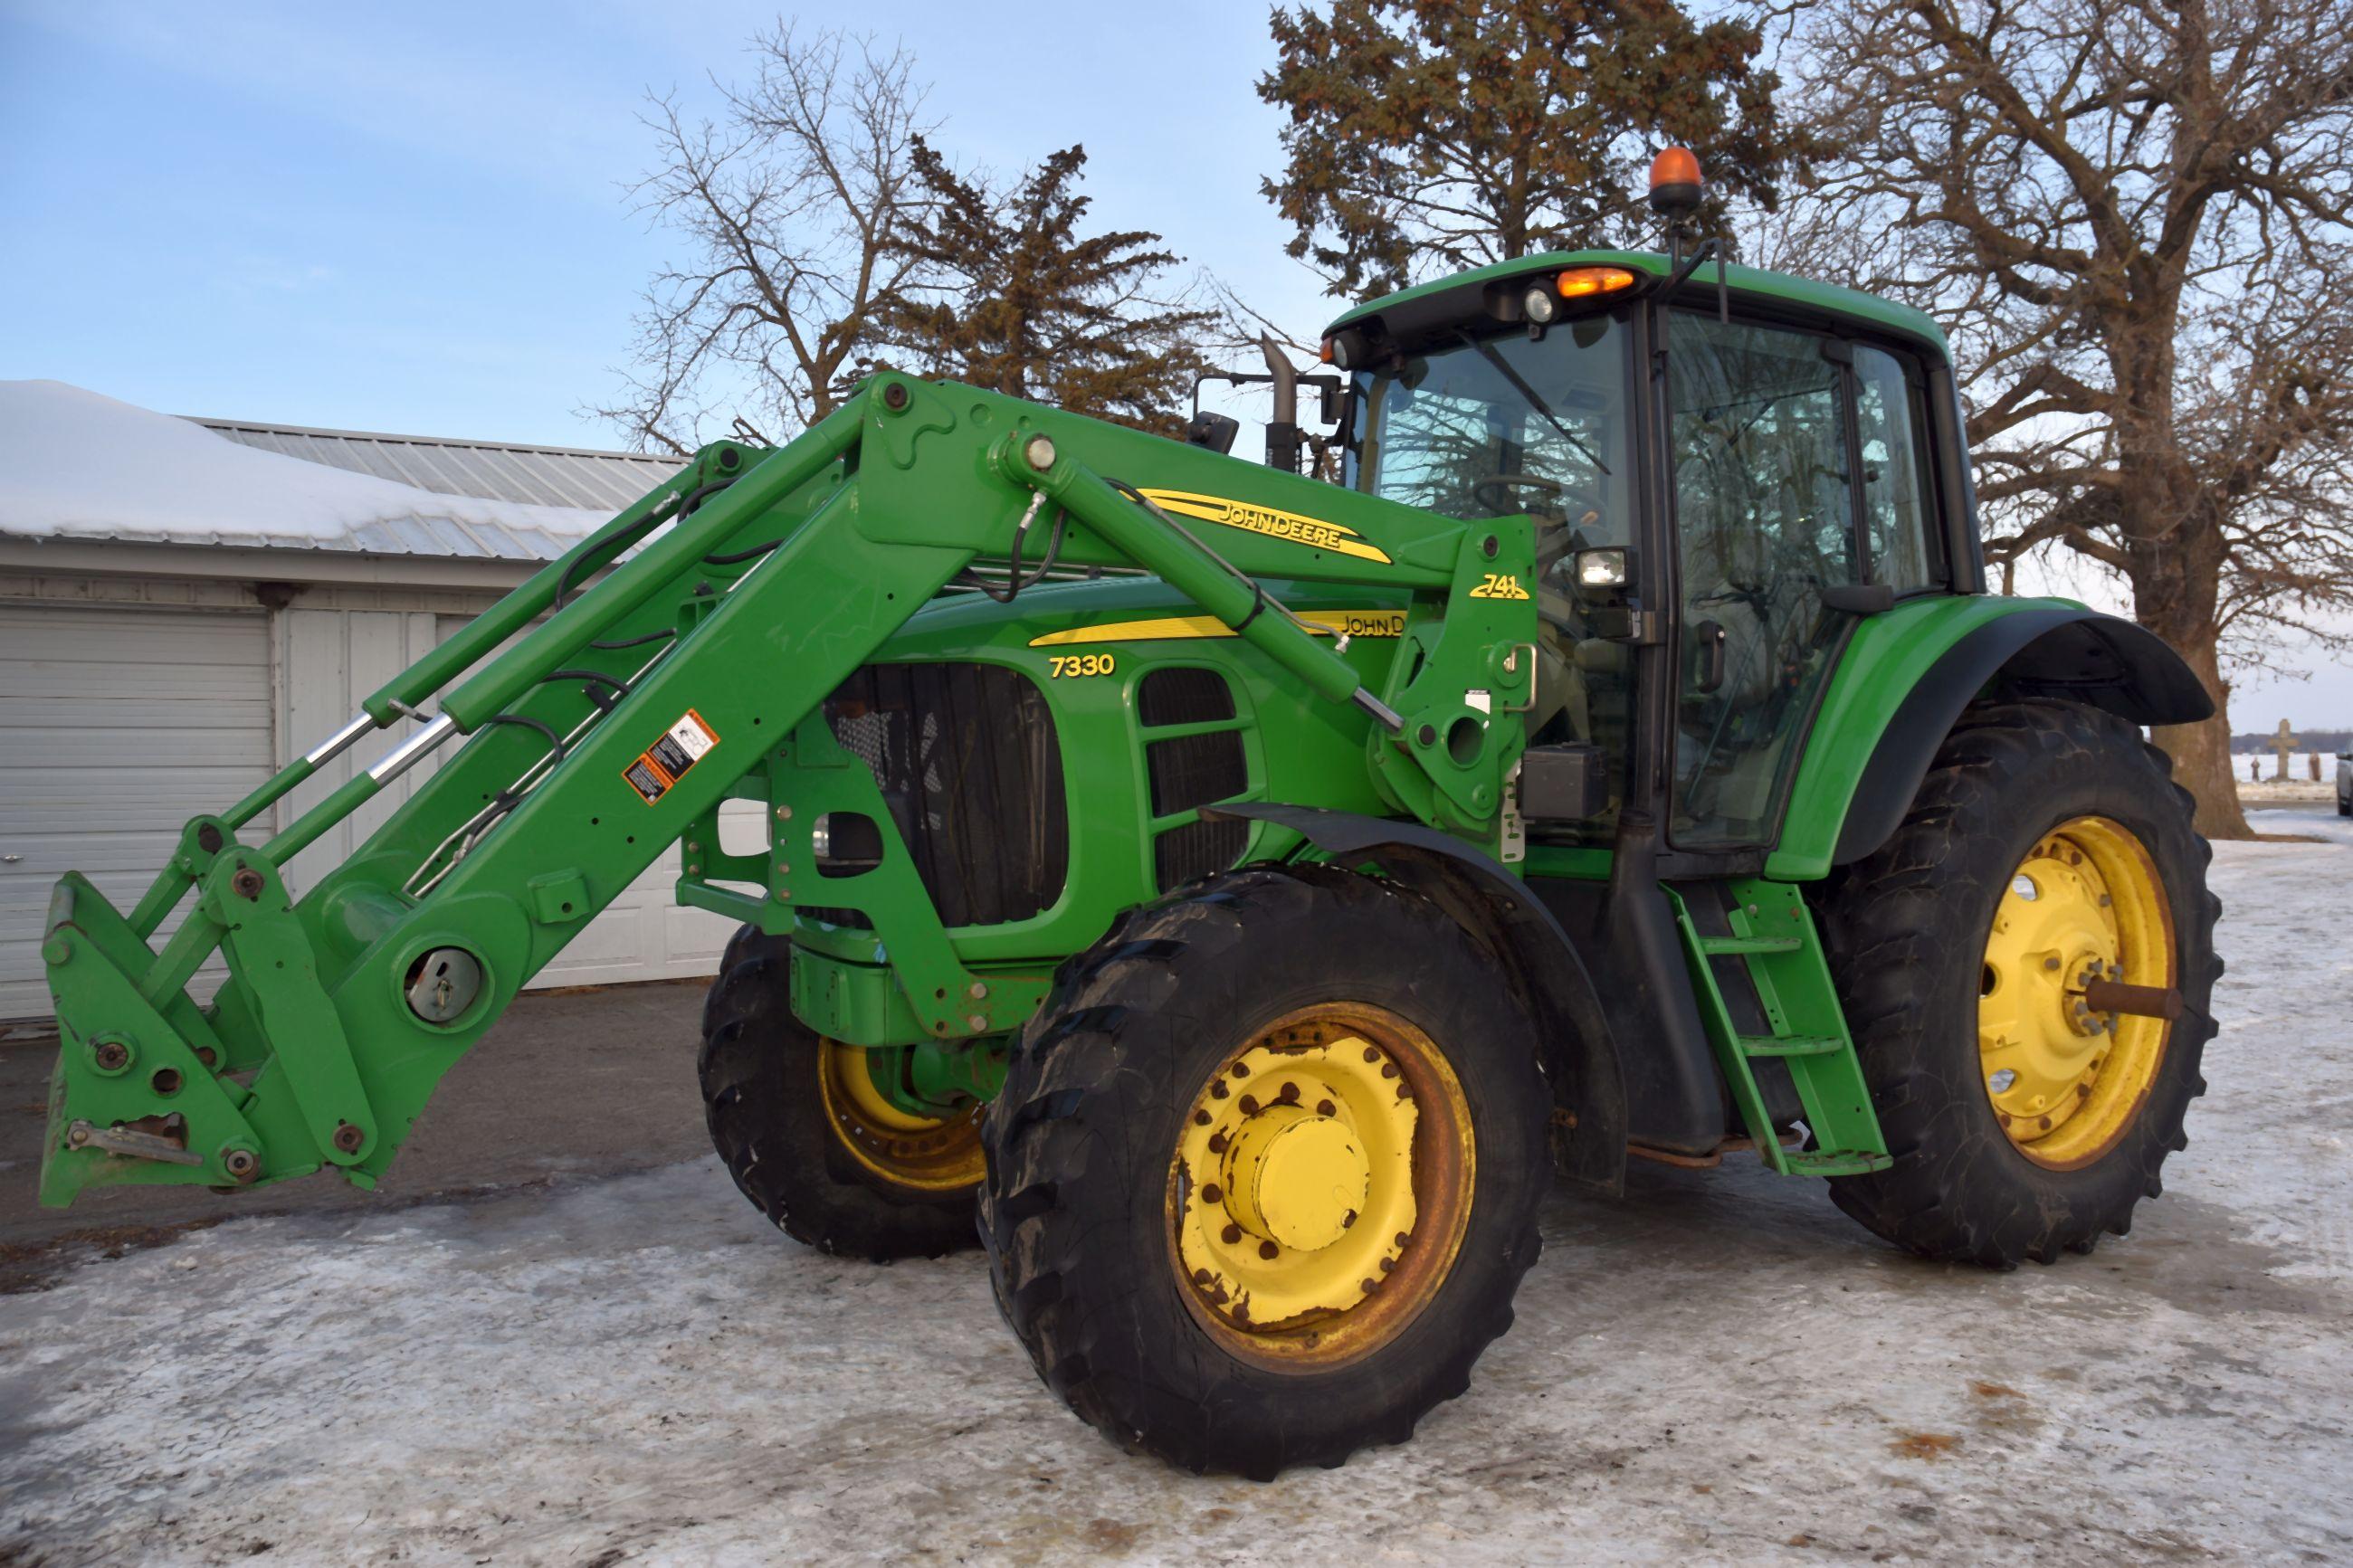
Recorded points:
(187, 605)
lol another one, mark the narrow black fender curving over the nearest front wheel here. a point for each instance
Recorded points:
(1552, 979)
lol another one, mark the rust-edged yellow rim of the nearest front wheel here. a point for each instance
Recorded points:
(1321, 1186)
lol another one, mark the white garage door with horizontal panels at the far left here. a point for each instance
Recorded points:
(119, 725)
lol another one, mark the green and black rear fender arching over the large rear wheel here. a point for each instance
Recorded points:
(1909, 674)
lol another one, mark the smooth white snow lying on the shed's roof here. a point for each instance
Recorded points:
(76, 464)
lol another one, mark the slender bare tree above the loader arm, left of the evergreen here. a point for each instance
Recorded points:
(794, 206)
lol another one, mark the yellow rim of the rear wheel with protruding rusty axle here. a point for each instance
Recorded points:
(2084, 906)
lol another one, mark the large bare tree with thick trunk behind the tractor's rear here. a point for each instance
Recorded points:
(2138, 222)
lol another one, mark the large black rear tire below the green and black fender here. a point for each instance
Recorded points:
(1907, 934)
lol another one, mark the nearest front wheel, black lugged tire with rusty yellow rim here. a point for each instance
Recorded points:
(1265, 1174)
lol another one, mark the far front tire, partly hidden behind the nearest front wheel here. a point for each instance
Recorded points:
(766, 1099)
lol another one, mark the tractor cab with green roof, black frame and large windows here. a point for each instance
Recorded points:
(1738, 469)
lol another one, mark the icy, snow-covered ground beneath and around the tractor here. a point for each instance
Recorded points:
(636, 1372)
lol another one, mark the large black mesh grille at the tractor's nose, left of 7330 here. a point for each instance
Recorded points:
(971, 770)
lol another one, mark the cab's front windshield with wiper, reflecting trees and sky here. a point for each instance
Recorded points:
(1495, 427)
